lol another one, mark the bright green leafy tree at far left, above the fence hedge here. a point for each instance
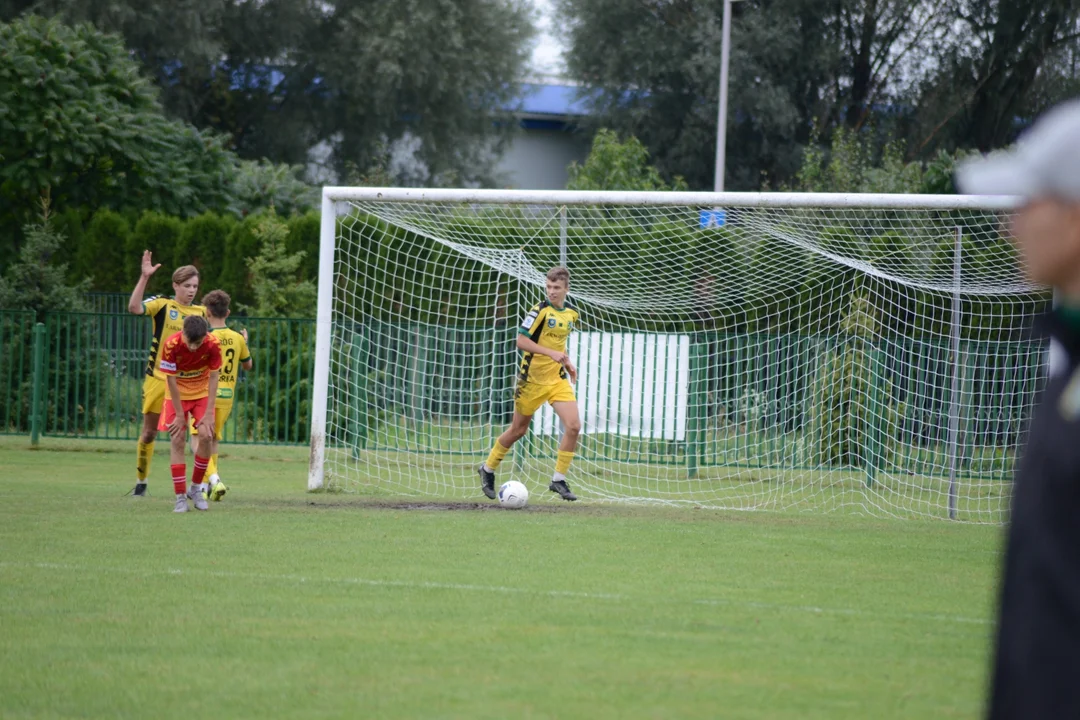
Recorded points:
(82, 126)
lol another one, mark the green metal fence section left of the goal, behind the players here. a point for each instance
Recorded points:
(93, 366)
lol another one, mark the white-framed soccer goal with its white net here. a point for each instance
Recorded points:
(737, 350)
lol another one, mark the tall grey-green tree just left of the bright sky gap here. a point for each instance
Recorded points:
(442, 73)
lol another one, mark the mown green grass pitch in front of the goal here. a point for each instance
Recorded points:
(285, 604)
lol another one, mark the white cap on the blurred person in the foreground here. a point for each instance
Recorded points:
(1045, 164)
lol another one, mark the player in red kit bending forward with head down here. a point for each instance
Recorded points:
(191, 361)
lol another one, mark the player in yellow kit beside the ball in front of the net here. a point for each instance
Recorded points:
(545, 376)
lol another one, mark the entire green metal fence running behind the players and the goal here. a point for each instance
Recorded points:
(755, 400)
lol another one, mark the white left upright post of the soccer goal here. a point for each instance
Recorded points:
(328, 230)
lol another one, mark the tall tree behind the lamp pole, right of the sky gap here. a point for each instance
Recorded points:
(656, 65)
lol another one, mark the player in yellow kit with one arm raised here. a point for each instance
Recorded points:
(168, 316)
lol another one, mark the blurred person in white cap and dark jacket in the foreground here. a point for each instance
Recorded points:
(1036, 670)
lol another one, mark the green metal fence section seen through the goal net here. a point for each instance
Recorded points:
(755, 400)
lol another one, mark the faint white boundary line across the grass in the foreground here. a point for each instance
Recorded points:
(501, 590)
